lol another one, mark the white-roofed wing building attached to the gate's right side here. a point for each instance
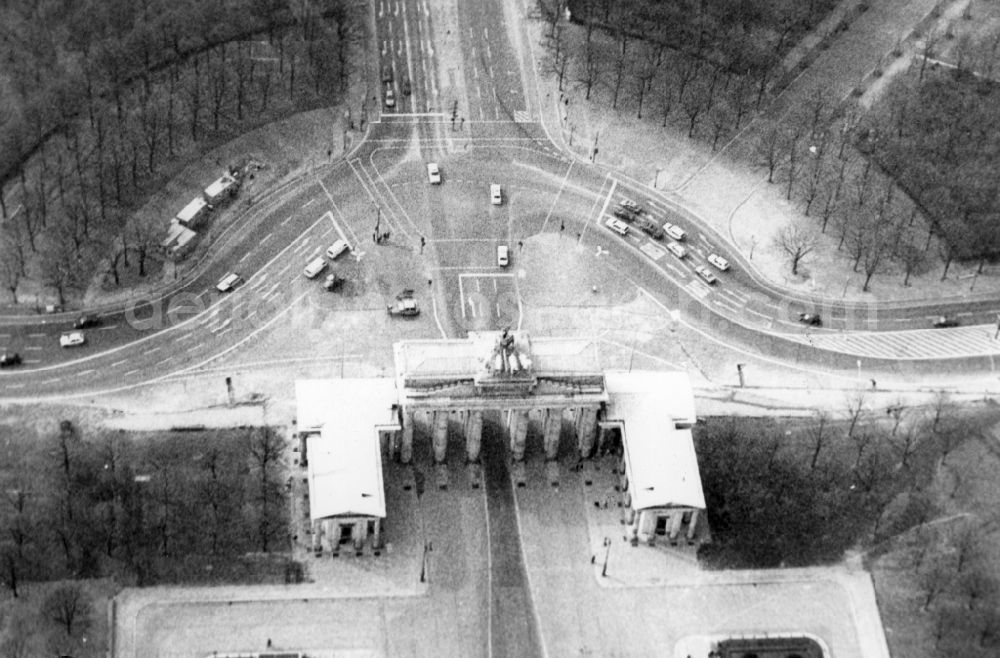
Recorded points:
(654, 413)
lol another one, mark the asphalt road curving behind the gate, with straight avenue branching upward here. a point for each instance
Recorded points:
(477, 122)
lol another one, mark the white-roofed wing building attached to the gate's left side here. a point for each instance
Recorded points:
(343, 425)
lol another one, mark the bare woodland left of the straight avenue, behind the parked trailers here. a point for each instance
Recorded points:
(141, 92)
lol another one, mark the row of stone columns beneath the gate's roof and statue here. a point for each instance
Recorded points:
(517, 422)
